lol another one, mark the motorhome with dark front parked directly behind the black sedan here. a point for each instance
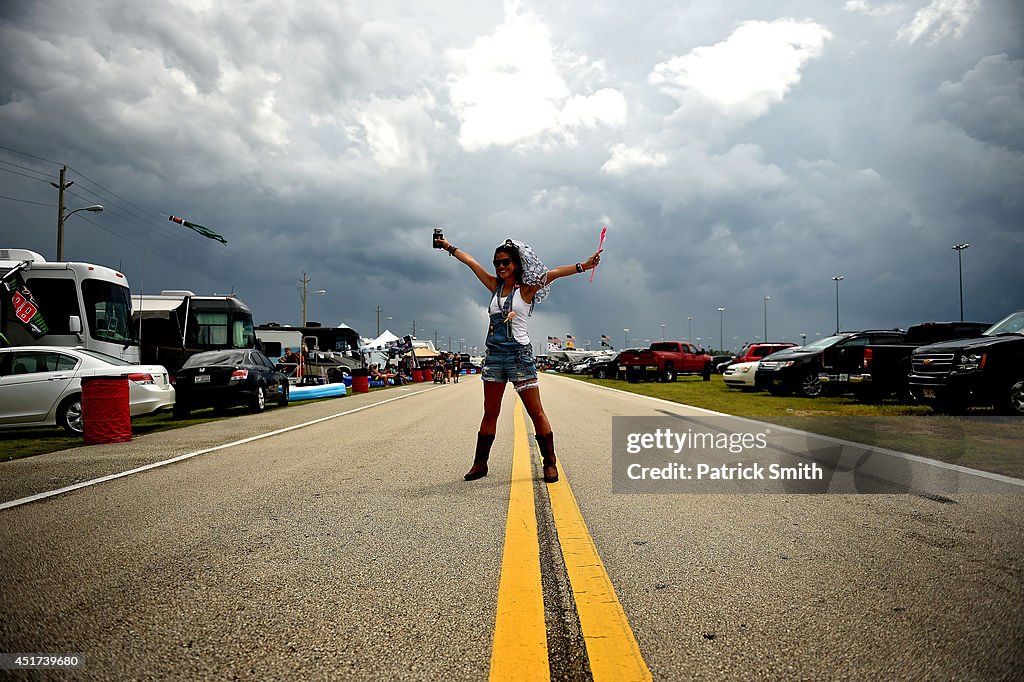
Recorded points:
(179, 324)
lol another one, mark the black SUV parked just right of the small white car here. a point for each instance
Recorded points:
(799, 369)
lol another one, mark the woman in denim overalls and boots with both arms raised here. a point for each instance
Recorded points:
(521, 281)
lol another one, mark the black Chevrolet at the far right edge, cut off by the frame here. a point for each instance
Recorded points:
(985, 371)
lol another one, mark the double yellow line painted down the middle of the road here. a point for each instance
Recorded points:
(521, 647)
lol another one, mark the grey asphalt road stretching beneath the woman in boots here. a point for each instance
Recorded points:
(351, 548)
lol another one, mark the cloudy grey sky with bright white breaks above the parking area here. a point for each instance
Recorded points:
(735, 150)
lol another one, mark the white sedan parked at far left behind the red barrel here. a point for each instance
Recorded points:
(42, 386)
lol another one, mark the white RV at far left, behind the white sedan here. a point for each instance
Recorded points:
(65, 305)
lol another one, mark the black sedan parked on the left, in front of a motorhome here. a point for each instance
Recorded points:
(226, 378)
